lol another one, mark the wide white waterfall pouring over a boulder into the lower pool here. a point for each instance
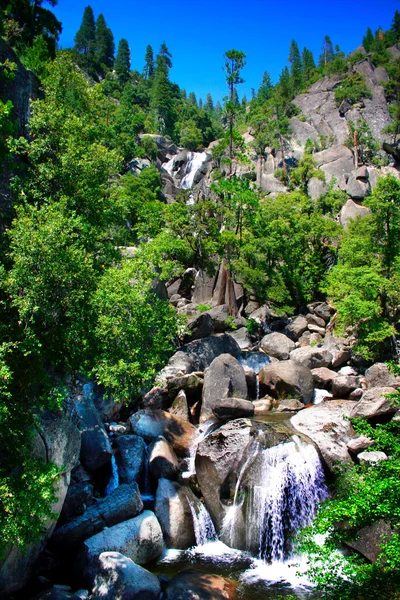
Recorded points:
(277, 492)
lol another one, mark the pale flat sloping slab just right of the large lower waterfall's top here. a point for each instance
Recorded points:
(327, 425)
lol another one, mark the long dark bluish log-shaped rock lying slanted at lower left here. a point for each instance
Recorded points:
(123, 503)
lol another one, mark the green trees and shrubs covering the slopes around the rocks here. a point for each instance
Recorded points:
(72, 300)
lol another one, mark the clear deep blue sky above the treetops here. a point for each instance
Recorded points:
(198, 33)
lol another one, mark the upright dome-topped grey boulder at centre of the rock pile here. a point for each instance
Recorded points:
(224, 378)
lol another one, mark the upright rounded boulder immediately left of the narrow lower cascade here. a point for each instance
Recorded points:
(174, 515)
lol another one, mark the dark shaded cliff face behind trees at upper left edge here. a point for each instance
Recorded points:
(21, 90)
